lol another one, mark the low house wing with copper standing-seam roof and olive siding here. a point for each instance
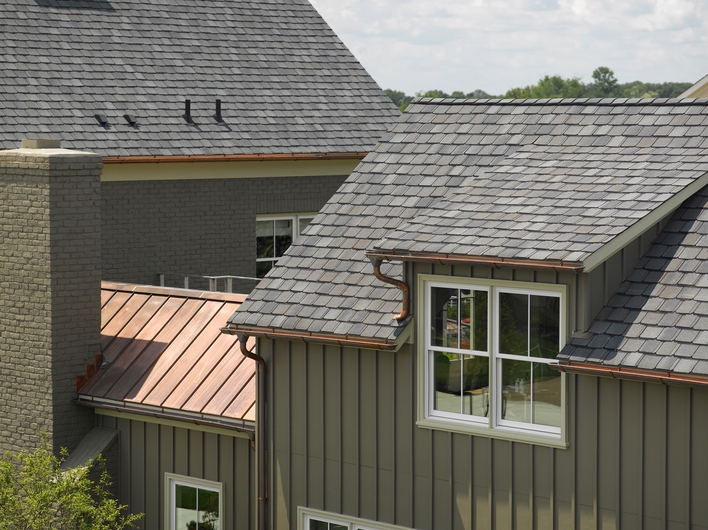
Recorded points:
(180, 400)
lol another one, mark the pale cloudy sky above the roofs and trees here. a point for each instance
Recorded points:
(495, 45)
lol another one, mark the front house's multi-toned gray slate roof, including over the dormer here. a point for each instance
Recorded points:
(517, 192)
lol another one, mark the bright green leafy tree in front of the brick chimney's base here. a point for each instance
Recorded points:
(37, 494)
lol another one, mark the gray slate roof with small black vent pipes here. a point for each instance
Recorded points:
(286, 82)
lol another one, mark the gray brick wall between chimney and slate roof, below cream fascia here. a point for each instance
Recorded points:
(196, 226)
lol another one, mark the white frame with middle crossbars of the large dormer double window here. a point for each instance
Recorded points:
(492, 425)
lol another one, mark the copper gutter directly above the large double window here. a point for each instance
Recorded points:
(449, 259)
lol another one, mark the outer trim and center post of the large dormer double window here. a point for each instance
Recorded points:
(491, 428)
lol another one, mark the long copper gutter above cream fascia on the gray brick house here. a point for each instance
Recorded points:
(282, 157)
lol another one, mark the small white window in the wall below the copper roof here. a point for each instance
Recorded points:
(193, 504)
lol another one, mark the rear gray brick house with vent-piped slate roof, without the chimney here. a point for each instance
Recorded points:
(214, 120)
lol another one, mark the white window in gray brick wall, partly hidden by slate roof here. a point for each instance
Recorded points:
(274, 235)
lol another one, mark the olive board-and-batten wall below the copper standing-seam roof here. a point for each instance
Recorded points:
(149, 449)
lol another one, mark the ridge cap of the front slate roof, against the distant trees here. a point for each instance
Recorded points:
(644, 102)
